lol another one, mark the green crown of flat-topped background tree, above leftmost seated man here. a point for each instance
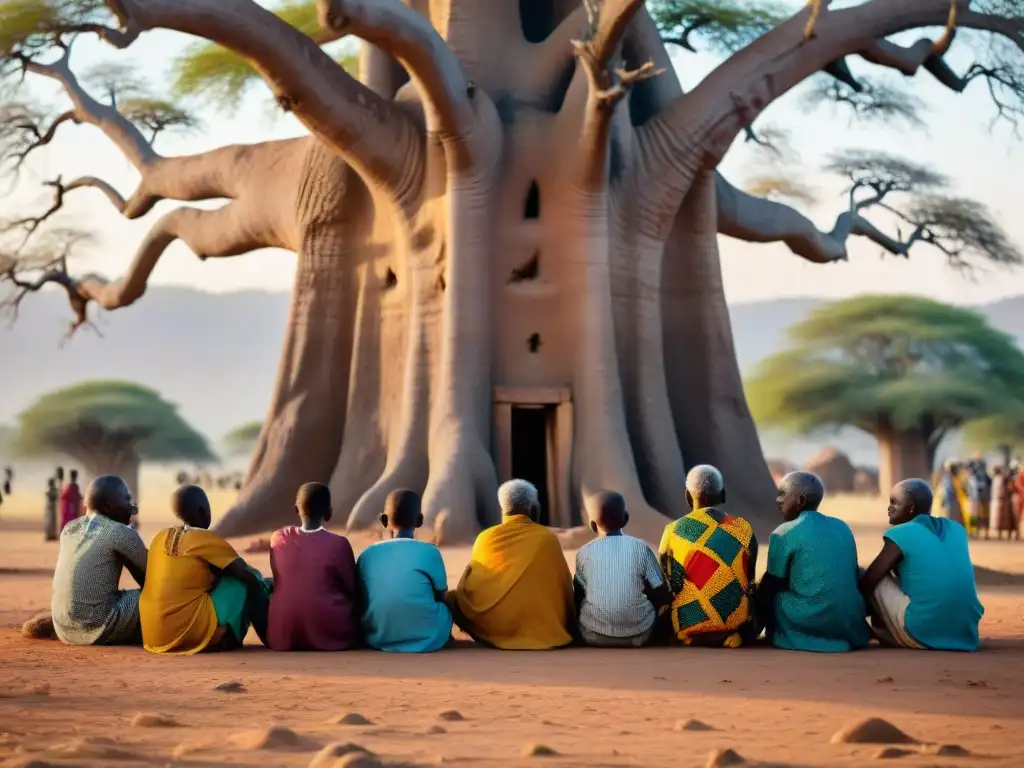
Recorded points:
(120, 411)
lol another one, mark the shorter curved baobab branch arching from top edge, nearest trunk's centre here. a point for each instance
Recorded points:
(412, 40)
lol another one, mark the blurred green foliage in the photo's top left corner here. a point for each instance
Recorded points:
(30, 26)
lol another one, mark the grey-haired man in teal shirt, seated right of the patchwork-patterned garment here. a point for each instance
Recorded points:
(809, 598)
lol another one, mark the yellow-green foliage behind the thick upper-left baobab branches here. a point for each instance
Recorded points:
(222, 78)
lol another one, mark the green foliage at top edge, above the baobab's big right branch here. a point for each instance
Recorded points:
(724, 26)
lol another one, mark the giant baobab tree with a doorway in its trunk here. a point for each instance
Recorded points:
(406, 207)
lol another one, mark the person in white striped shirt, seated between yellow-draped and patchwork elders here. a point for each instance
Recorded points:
(618, 584)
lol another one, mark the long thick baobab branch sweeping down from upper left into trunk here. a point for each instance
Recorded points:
(376, 137)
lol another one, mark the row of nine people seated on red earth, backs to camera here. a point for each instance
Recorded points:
(518, 592)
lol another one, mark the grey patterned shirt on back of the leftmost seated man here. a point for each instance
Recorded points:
(94, 550)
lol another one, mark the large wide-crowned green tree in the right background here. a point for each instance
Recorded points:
(904, 369)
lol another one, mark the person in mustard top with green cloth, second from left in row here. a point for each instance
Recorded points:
(200, 595)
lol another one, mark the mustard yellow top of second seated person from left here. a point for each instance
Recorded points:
(176, 609)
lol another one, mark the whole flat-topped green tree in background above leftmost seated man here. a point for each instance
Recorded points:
(109, 428)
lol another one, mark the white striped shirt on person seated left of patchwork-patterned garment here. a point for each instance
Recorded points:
(614, 573)
